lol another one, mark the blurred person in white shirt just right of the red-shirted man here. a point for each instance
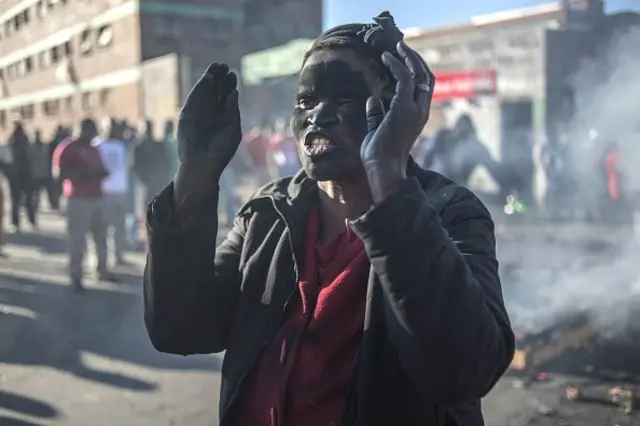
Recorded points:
(115, 188)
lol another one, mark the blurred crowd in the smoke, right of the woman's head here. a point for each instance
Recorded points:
(457, 151)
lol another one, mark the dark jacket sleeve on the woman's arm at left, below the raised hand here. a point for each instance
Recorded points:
(190, 287)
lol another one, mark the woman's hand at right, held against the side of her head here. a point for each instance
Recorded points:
(385, 149)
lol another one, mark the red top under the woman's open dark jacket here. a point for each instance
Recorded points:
(303, 375)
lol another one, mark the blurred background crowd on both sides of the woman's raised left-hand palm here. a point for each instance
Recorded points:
(103, 177)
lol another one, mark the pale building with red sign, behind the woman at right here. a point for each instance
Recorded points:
(530, 55)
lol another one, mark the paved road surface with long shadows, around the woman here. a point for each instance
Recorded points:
(85, 360)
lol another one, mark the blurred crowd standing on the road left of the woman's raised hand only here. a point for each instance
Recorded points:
(98, 176)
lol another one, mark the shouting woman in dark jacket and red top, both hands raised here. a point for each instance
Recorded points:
(362, 291)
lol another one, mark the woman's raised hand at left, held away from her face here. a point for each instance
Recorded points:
(209, 132)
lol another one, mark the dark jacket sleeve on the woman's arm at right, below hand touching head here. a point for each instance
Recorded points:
(444, 310)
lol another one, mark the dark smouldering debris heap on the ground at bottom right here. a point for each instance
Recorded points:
(592, 371)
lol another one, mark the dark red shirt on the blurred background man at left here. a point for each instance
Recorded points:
(77, 155)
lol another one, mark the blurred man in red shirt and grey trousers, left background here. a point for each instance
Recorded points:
(80, 166)
